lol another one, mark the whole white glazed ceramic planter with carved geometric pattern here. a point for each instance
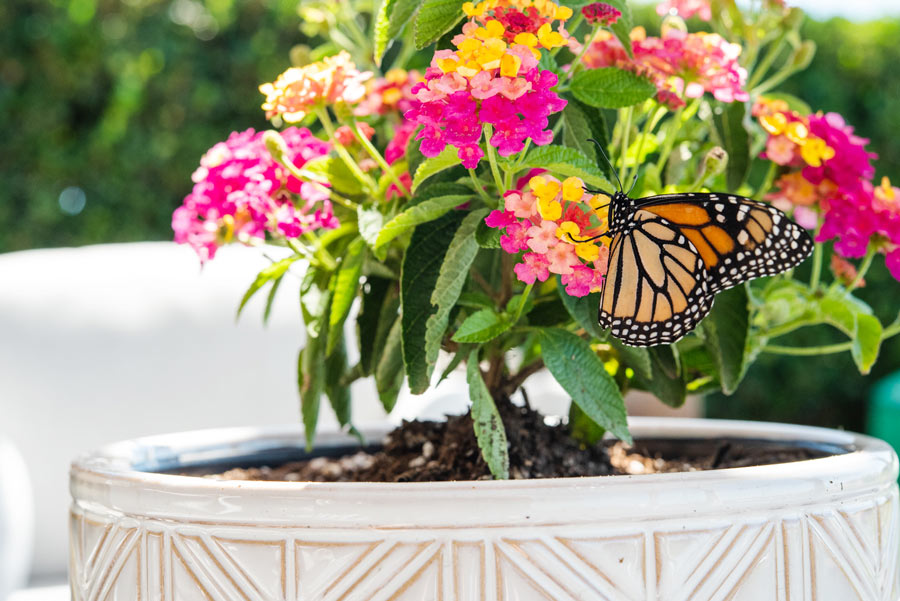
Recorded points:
(823, 530)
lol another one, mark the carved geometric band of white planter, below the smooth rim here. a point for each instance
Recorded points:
(836, 552)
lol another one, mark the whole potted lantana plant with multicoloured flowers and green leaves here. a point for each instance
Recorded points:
(433, 164)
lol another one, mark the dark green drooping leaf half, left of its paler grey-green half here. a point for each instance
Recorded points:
(419, 274)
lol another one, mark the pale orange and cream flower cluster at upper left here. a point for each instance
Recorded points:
(301, 90)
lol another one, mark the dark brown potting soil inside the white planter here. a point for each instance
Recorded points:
(441, 451)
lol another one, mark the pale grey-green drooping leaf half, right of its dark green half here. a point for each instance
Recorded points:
(451, 278)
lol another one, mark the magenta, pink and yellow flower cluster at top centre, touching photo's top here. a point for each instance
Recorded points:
(492, 78)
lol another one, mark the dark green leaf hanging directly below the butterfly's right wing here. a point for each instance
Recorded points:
(725, 331)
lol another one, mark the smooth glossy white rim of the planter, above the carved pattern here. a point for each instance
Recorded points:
(108, 478)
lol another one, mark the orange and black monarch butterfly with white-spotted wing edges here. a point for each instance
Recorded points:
(671, 254)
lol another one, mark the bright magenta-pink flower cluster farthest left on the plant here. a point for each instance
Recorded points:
(240, 193)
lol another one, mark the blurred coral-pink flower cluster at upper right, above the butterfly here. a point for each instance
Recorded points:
(681, 64)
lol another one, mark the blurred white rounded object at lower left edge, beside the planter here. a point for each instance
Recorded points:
(16, 519)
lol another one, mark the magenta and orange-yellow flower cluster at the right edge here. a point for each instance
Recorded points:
(829, 172)
